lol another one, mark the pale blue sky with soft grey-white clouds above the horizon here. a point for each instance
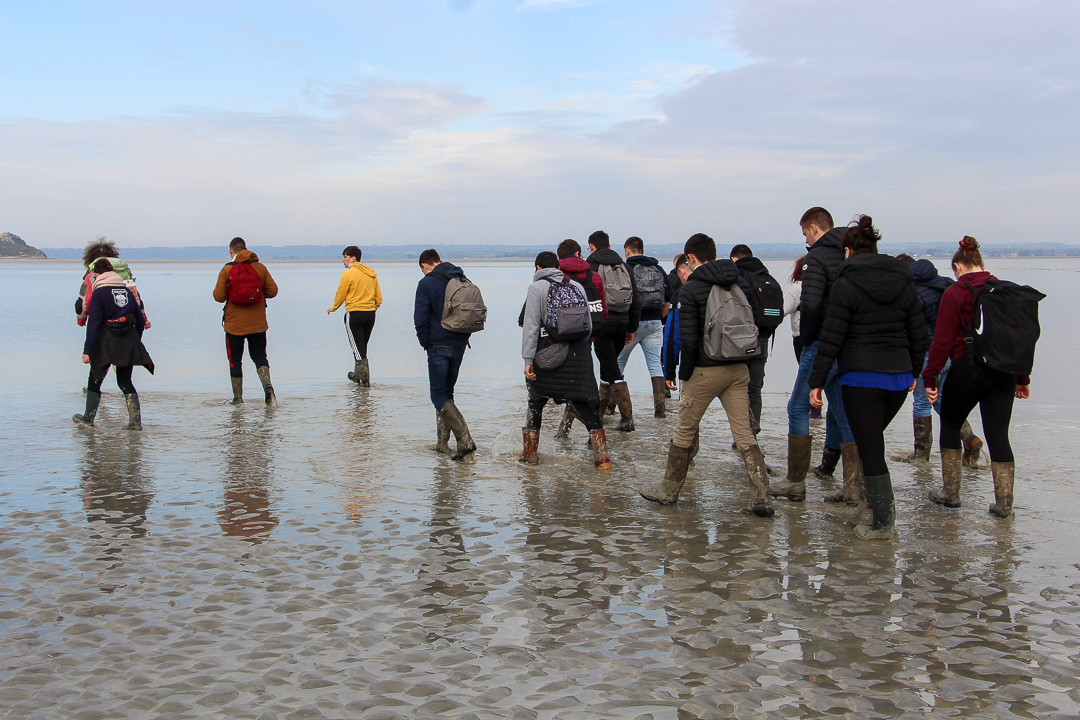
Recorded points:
(528, 121)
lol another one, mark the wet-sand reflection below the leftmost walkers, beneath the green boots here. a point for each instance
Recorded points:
(115, 488)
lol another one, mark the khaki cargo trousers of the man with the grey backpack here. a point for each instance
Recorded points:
(728, 383)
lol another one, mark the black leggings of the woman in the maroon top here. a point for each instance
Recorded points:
(993, 391)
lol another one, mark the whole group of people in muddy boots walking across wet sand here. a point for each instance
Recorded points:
(862, 321)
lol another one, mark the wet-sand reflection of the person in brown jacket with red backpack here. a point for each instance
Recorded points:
(248, 509)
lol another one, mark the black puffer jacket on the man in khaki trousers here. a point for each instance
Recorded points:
(693, 300)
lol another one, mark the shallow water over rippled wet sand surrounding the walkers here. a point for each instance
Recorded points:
(319, 561)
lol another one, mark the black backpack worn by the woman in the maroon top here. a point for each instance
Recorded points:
(1004, 328)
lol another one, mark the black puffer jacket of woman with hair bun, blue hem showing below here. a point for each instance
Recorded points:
(875, 320)
